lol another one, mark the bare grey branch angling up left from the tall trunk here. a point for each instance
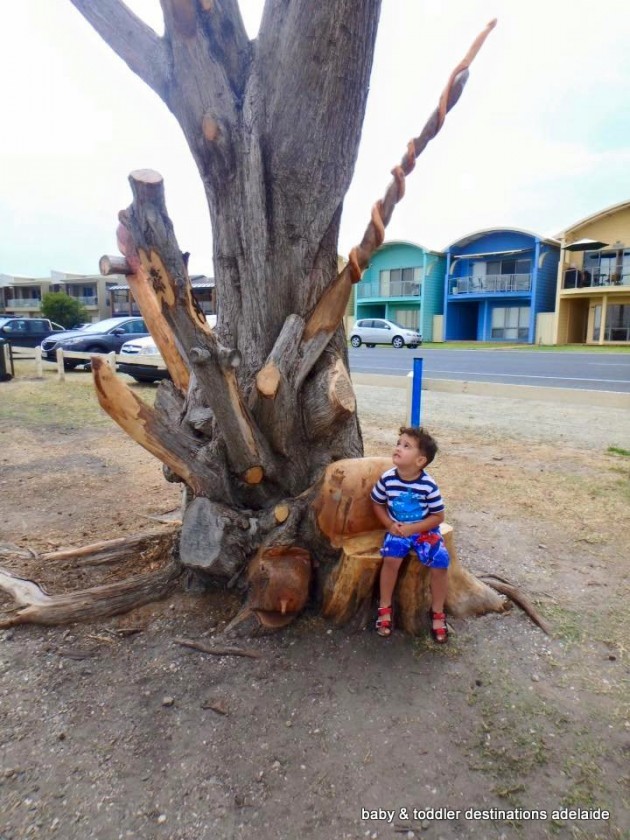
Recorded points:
(135, 42)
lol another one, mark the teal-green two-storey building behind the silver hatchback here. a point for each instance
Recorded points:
(403, 283)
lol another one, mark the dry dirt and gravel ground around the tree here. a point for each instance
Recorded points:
(106, 729)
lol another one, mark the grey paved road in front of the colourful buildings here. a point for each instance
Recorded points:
(585, 371)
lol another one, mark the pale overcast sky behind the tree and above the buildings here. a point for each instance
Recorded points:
(540, 138)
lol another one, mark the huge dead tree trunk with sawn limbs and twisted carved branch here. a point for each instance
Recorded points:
(260, 407)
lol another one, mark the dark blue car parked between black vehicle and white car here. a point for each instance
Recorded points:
(102, 337)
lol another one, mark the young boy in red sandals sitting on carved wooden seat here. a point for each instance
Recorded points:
(408, 503)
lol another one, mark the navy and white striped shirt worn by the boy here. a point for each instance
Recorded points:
(407, 501)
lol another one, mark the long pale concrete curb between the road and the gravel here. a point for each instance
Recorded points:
(569, 396)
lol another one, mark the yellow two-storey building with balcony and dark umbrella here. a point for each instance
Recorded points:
(593, 291)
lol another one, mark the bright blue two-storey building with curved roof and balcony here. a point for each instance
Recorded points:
(497, 282)
